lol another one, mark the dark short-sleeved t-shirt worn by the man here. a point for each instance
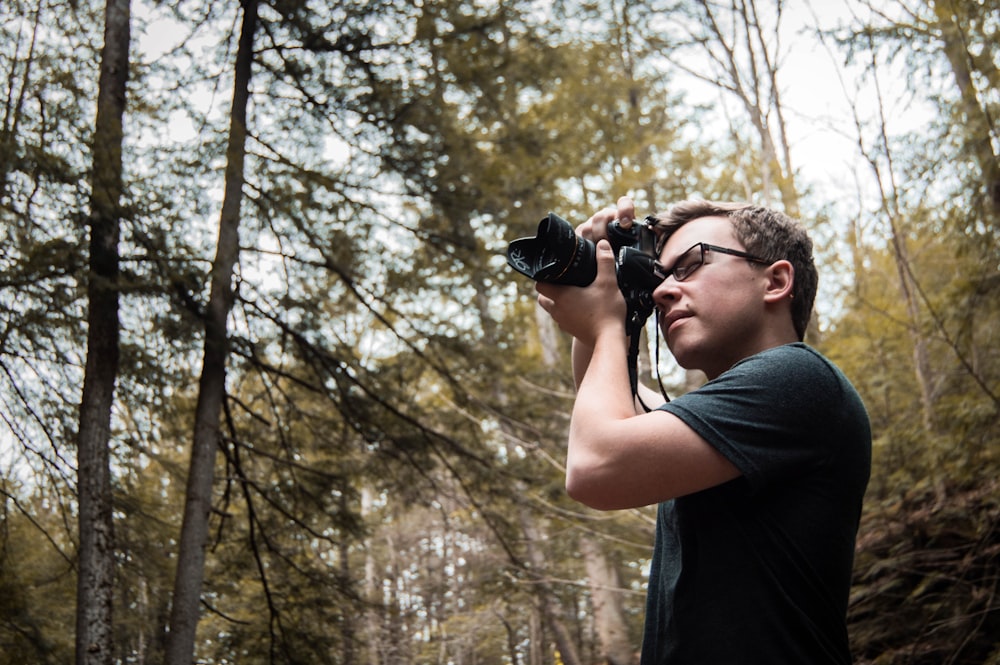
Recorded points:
(758, 570)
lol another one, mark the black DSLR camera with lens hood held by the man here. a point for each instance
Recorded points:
(559, 256)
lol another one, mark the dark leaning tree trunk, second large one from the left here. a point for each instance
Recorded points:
(212, 385)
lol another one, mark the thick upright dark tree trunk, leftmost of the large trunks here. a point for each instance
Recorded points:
(96, 565)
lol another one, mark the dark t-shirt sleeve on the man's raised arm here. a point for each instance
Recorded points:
(772, 415)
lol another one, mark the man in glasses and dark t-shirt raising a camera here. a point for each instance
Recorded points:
(759, 474)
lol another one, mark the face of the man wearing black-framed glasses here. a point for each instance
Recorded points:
(714, 316)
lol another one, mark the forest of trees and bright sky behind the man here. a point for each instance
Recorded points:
(271, 395)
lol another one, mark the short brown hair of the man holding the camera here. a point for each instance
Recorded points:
(764, 232)
